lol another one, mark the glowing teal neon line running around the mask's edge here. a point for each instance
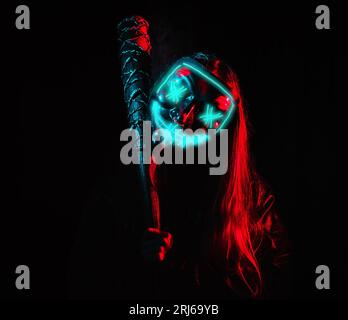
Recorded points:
(195, 67)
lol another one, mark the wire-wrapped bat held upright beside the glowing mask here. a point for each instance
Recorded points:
(135, 48)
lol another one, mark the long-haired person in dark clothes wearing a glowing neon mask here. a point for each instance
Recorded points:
(220, 236)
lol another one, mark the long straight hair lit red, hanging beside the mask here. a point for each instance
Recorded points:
(238, 230)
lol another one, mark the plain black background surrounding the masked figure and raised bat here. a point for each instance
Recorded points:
(69, 114)
